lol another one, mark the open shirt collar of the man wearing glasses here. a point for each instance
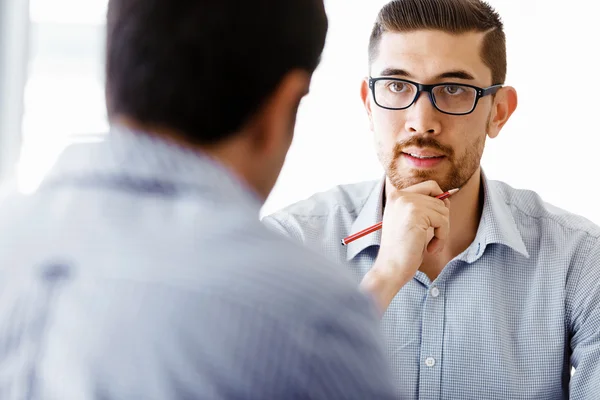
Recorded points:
(497, 224)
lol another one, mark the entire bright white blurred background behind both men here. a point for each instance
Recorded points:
(51, 97)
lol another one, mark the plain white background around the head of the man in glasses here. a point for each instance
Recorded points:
(550, 145)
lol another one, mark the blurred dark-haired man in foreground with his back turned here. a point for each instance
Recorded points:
(139, 270)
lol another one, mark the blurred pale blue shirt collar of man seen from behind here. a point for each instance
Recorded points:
(143, 156)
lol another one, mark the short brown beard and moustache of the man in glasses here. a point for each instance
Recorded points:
(453, 173)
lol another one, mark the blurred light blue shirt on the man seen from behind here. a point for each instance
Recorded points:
(140, 270)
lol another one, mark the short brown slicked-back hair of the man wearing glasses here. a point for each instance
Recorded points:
(452, 16)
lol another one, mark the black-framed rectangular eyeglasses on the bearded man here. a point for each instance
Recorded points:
(448, 98)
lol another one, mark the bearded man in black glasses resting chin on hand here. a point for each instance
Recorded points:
(492, 293)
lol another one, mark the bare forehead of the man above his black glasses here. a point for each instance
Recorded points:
(426, 54)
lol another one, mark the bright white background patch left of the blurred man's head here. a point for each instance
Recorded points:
(64, 94)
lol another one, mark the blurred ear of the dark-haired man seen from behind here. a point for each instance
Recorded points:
(273, 125)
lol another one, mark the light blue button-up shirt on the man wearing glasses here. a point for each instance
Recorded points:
(506, 319)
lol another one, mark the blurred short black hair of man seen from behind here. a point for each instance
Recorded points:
(204, 67)
